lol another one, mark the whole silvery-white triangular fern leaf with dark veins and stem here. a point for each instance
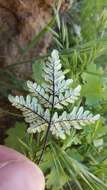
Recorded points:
(40, 108)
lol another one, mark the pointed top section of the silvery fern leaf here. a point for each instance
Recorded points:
(54, 76)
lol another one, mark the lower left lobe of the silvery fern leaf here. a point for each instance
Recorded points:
(32, 111)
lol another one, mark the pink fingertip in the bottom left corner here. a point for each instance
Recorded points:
(18, 173)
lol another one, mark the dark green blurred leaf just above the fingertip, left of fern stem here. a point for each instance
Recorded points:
(18, 139)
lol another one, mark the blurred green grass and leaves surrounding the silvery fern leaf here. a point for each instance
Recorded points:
(80, 35)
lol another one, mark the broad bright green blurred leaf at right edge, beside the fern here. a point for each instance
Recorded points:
(93, 88)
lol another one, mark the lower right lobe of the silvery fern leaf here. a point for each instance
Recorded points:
(61, 125)
